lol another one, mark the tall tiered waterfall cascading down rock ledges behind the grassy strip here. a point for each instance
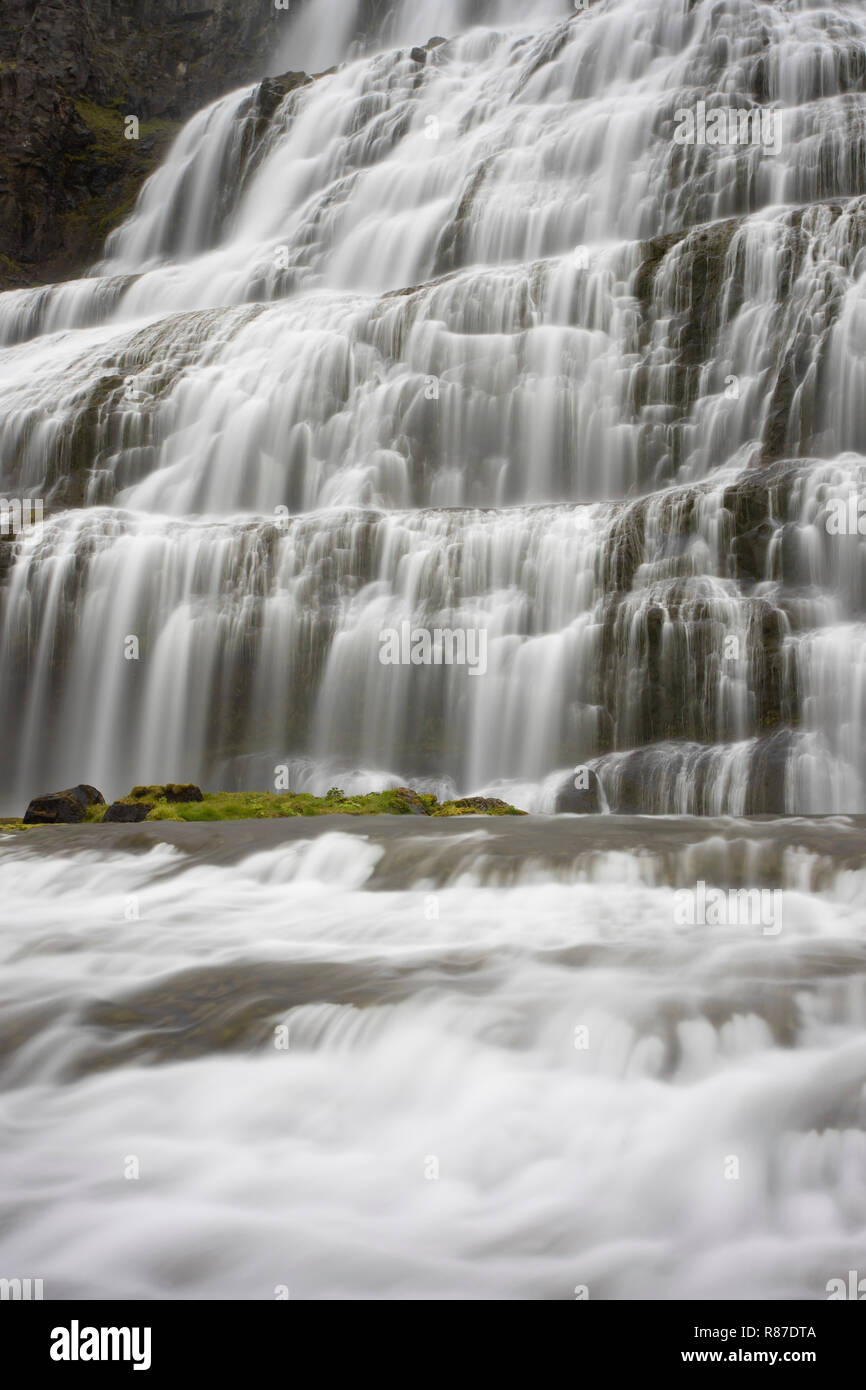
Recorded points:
(462, 337)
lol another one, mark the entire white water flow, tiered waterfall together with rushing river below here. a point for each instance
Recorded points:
(454, 338)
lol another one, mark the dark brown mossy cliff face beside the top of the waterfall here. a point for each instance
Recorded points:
(70, 74)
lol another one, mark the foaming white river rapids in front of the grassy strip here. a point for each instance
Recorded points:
(491, 1088)
